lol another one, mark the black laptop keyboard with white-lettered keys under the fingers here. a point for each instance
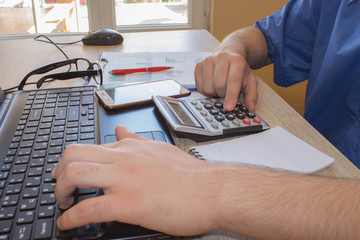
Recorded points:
(51, 120)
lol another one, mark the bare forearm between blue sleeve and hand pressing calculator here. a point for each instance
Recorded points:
(248, 42)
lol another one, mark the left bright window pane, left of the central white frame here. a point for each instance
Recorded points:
(45, 16)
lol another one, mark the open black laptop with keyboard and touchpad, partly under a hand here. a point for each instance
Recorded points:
(35, 128)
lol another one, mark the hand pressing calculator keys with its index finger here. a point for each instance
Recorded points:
(226, 74)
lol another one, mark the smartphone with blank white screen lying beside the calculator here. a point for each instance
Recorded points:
(133, 94)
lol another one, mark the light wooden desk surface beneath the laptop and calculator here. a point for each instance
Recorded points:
(18, 57)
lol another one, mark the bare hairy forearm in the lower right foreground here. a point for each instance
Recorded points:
(271, 205)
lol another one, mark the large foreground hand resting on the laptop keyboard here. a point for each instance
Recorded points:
(147, 183)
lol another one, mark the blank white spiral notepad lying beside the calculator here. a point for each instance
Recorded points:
(275, 148)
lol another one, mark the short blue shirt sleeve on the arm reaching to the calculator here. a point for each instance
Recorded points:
(290, 34)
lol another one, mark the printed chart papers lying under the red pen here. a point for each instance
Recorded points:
(183, 64)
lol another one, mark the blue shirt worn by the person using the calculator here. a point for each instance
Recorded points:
(319, 40)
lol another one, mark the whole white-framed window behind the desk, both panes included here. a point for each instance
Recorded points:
(60, 16)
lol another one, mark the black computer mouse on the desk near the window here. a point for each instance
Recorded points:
(103, 37)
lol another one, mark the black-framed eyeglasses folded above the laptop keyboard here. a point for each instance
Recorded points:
(93, 69)
